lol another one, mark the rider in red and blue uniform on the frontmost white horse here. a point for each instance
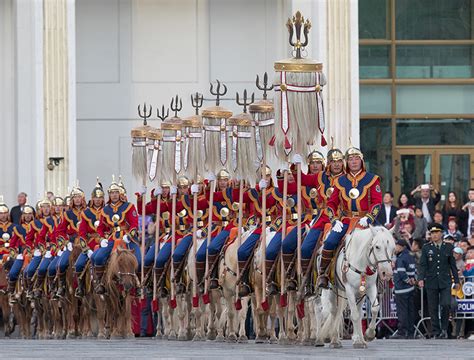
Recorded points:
(358, 196)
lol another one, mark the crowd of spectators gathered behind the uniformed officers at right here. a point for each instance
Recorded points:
(410, 219)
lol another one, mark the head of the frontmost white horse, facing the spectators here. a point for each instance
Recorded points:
(381, 251)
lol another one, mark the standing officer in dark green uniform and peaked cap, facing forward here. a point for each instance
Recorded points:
(437, 265)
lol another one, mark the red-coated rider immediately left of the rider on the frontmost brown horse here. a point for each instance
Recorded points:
(88, 236)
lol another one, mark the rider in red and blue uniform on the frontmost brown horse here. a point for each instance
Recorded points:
(118, 221)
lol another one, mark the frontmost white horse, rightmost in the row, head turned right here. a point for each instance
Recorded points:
(367, 251)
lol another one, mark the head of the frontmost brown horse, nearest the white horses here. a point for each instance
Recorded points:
(124, 264)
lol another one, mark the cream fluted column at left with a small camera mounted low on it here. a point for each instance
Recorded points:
(58, 55)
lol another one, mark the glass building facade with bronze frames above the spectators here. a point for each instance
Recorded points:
(416, 67)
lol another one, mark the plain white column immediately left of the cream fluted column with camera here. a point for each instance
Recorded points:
(29, 140)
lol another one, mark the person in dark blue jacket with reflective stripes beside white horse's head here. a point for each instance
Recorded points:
(404, 281)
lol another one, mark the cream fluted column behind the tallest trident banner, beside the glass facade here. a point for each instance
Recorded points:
(334, 41)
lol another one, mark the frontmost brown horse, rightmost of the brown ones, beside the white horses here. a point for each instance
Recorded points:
(120, 280)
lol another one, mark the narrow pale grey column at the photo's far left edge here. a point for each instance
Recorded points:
(7, 102)
